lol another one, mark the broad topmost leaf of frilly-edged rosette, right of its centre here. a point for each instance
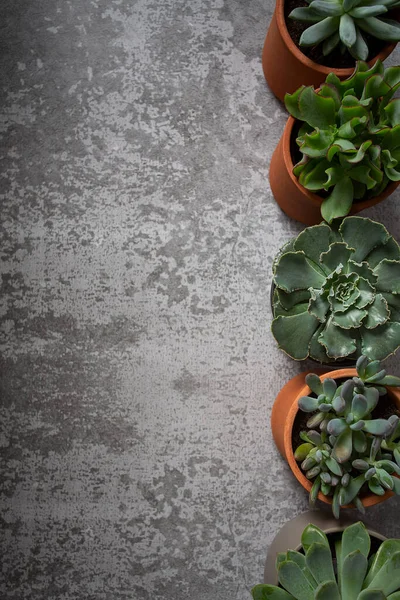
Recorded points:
(363, 235)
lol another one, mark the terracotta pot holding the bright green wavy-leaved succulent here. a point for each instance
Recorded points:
(293, 198)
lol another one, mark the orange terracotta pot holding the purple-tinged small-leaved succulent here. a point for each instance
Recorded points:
(283, 415)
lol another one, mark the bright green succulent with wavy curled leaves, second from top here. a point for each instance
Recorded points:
(350, 137)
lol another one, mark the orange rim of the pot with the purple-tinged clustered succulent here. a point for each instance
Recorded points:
(369, 499)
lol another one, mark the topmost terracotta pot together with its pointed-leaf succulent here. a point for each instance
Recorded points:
(308, 65)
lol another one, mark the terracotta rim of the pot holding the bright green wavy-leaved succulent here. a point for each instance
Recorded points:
(314, 199)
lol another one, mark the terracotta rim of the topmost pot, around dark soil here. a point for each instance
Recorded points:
(307, 62)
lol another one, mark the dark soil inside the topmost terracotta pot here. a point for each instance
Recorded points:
(336, 58)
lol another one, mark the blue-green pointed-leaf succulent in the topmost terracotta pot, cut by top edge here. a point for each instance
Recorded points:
(342, 23)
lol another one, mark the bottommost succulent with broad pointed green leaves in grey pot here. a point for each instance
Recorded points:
(345, 571)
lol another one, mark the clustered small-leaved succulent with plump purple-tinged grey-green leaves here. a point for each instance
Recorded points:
(351, 451)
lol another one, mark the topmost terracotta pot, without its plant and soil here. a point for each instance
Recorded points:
(286, 68)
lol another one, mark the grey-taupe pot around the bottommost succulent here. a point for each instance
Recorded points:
(289, 537)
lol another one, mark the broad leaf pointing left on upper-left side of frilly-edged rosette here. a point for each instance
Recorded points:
(295, 272)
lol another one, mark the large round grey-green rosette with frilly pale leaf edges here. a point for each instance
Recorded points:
(337, 292)
